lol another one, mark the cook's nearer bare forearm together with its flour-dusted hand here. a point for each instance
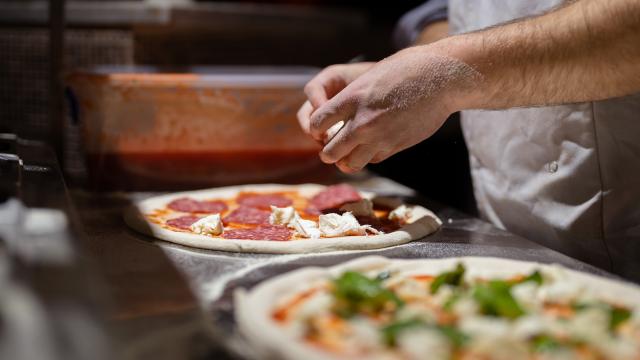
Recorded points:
(586, 50)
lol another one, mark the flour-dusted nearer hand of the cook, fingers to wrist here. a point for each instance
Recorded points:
(397, 103)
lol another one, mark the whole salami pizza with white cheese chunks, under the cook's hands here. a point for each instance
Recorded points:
(281, 219)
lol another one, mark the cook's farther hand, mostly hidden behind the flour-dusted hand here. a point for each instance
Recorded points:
(326, 85)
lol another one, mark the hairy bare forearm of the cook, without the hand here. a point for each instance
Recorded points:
(588, 50)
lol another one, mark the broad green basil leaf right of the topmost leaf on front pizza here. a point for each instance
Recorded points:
(495, 299)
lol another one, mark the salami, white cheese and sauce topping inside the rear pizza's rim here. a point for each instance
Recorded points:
(333, 212)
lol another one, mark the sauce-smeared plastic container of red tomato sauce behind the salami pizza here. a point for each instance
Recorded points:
(145, 129)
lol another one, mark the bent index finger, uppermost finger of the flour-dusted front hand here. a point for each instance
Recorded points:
(333, 111)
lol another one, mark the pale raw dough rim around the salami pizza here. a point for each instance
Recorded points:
(422, 223)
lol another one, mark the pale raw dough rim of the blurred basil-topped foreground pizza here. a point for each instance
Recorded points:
(253, 308)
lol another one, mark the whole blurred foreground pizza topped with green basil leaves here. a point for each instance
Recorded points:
(457, 308)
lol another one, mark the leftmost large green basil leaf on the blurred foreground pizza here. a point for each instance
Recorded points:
(355, 293)
